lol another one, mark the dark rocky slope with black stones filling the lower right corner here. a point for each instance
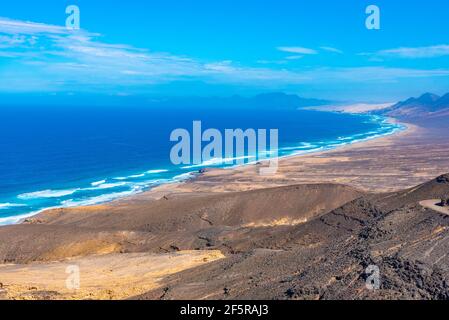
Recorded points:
(328, 257)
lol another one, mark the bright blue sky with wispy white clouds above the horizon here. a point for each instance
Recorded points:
(317, 48)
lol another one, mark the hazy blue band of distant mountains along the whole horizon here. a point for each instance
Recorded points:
(428, 106)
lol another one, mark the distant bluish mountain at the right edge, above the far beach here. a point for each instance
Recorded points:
(426, 106)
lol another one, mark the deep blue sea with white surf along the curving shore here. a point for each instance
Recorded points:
(53, 157)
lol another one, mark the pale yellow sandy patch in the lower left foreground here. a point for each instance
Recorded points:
(114, 276)
